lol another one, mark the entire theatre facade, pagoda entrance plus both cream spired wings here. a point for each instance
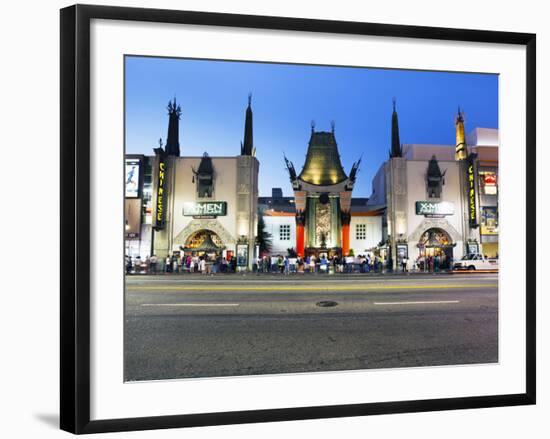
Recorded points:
(426, 201)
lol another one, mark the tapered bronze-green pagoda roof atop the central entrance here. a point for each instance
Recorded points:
(323, 166)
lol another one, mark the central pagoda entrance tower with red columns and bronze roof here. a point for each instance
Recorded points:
(322, 194)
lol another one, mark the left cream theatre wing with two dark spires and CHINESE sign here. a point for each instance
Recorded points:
(205, 206)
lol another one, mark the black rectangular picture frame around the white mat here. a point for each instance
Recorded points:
(75, 217)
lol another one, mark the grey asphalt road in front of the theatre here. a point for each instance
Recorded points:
(193, 326)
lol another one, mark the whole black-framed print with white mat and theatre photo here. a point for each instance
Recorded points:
(268, 218)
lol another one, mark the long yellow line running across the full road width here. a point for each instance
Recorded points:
(216, 288)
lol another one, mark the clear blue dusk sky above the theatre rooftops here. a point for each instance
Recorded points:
(286, 98)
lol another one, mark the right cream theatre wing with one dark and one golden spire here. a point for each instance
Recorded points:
(439, 200)
